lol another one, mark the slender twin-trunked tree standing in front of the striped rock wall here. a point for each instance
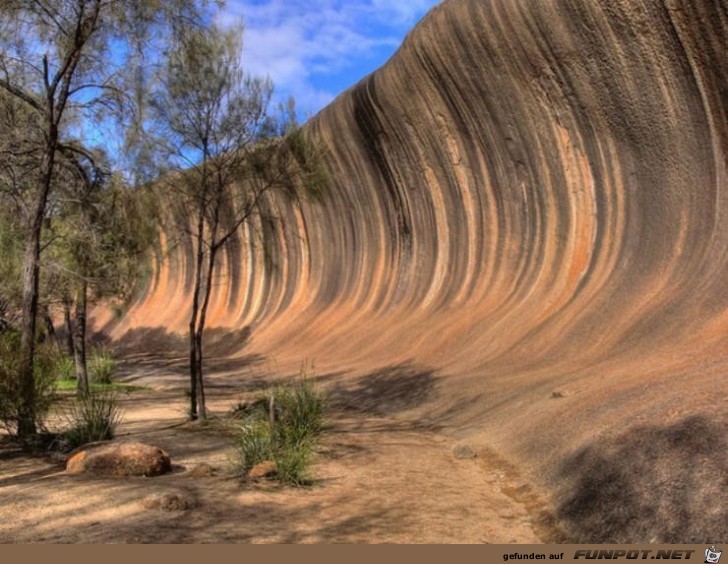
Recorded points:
(216, 119)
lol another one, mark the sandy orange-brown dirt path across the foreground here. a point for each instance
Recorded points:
(378, 481)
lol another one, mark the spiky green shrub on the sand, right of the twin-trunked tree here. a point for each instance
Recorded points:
(290, 442)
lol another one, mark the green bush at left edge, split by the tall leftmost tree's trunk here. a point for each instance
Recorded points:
(46, 357)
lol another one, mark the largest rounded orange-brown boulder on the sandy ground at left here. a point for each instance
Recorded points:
(119, 460)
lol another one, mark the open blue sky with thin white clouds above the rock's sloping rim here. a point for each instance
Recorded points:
(316, 49)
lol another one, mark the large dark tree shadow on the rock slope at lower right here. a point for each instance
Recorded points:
(652, 484)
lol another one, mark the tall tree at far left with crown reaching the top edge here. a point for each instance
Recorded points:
(67, 60)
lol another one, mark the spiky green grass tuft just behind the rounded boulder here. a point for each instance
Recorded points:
(94, 418)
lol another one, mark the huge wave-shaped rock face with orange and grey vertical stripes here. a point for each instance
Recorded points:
(528, 205)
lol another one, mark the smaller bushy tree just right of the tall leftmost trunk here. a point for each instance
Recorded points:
(97, 249)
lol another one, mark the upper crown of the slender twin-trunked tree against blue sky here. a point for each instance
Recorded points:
(206, 105)
